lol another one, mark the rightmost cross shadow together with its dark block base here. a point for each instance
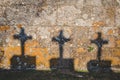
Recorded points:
(99, 65)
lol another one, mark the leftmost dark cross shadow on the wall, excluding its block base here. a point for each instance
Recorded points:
(23, 38)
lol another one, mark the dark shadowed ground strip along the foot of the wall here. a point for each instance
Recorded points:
(56, 75)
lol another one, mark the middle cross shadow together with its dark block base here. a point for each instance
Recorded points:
(60, 63)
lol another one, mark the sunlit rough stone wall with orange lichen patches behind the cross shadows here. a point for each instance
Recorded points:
(43, 19)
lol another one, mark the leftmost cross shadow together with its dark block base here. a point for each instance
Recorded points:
(22, 62)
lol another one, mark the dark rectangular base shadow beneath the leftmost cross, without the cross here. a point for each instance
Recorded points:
(23, 62)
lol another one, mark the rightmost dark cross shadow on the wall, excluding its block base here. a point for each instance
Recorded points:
(99, 42)
